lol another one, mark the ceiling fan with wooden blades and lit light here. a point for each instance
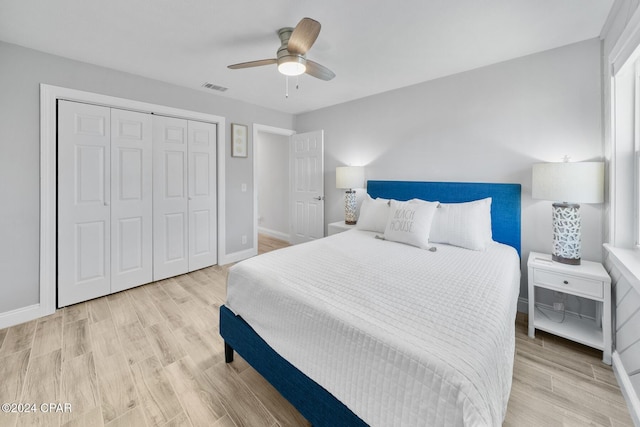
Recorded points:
(291, 55)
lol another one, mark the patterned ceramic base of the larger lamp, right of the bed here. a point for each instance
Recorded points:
(566, 233)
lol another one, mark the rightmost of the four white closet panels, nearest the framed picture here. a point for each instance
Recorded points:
(202, 195)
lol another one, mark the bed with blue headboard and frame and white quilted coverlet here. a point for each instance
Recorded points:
(329, 324)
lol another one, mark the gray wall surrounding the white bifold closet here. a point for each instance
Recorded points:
(21, 72)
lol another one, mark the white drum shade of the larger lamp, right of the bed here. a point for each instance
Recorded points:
(580, 182)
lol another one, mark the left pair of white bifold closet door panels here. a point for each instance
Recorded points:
(104, 201)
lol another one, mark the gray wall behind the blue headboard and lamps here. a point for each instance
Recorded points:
(490, 124)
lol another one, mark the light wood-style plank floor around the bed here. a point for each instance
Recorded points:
(152, 356)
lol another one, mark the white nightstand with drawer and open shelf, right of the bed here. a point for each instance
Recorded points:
(588, 280)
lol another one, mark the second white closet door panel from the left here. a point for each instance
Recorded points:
(131, 200)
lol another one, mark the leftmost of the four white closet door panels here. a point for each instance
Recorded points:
(84, 182)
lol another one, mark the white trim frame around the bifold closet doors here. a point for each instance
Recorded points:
(49, 96)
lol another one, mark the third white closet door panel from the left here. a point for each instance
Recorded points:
(170, 198)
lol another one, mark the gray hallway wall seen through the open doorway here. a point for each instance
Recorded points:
(273, 183)
